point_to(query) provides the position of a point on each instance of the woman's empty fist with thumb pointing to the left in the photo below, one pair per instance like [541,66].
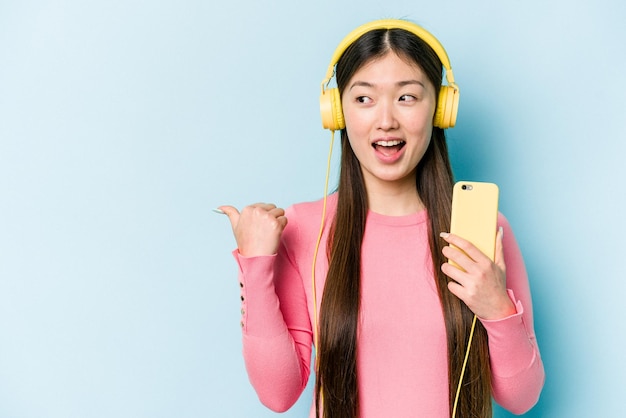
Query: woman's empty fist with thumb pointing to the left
[257,228]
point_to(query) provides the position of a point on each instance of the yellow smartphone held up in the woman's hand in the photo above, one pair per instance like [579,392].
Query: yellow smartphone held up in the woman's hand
[475,214]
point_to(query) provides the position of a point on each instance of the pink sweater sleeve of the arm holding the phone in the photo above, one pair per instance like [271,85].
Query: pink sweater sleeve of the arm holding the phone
[517,370]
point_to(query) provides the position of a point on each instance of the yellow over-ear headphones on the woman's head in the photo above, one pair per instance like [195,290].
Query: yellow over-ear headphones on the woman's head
[448,101]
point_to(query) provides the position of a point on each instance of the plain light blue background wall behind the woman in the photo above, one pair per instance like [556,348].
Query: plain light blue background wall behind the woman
[122,123]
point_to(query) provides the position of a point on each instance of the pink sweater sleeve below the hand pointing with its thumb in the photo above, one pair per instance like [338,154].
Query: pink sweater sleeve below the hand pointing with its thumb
[276,328]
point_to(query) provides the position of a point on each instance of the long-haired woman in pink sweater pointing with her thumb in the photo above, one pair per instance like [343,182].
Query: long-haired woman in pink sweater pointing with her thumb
[394,315]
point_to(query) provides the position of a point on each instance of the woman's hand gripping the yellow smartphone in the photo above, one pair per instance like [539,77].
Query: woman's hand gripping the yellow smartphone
[480,282]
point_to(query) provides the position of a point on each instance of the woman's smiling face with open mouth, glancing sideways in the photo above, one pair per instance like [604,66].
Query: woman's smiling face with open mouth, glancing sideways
[388,107]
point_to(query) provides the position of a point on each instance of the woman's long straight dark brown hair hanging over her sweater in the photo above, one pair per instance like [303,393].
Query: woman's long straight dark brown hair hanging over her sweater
[337,374]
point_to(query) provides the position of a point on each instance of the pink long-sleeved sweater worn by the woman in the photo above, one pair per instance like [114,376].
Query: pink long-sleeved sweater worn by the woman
[402,360]
